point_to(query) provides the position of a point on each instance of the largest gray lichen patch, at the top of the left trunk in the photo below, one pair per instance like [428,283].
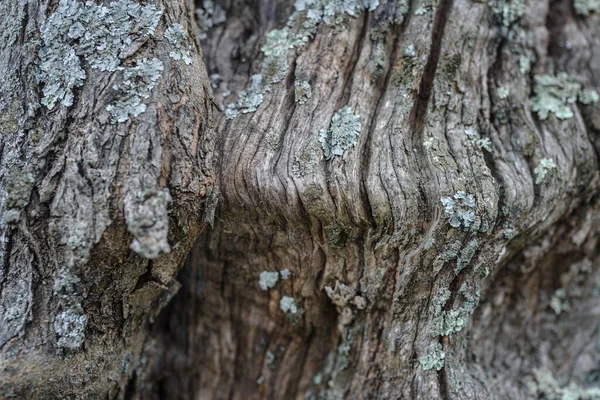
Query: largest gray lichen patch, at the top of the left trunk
[97,33]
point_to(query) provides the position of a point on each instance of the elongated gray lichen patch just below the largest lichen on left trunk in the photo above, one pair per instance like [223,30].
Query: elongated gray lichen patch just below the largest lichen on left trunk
[138,83]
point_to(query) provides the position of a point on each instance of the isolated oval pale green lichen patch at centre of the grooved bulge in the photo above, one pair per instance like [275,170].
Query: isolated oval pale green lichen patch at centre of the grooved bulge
[342,133]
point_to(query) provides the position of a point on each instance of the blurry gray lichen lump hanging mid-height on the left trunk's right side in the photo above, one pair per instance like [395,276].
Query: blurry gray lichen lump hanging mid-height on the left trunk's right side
[148,221]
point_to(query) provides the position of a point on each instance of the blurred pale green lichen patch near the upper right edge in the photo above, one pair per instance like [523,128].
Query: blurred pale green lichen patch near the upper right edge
[556,94]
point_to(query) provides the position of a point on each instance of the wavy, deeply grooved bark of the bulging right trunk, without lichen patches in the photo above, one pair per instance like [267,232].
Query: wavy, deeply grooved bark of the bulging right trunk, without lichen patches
[423,84]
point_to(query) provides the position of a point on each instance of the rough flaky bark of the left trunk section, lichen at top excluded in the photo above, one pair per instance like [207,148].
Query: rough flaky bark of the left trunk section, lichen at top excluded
[79,192]
